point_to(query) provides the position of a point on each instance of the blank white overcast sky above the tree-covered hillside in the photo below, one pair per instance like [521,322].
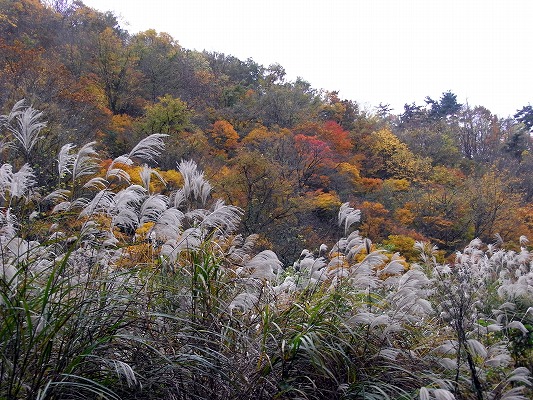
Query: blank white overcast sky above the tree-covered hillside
[371,51]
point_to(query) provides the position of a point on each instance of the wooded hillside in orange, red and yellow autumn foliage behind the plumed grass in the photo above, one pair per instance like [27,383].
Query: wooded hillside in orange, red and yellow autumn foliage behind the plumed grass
[287,153]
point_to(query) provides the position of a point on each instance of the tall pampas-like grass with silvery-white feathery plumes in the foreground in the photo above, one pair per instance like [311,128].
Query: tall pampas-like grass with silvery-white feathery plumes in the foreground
[113,286]
